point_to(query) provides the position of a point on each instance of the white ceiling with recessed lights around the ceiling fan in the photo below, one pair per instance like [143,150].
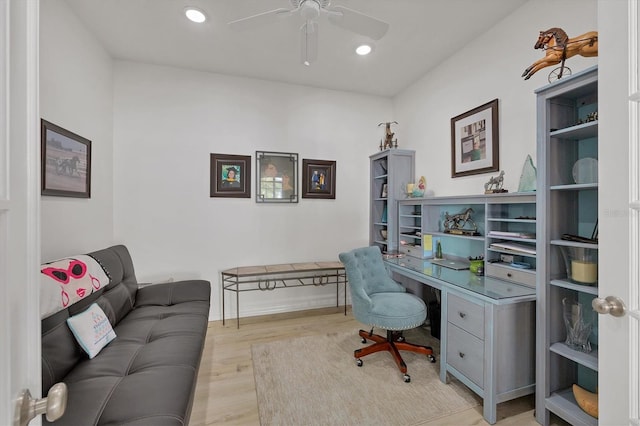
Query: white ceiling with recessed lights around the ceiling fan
[422,33]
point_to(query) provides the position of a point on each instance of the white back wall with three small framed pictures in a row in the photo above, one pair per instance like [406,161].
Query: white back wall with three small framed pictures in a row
[167,122]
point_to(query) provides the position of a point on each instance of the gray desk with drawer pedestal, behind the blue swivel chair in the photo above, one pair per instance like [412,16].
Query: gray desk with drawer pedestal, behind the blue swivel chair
[487,330]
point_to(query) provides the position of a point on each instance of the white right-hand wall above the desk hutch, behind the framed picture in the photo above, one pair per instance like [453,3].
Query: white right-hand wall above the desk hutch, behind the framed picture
[484,70]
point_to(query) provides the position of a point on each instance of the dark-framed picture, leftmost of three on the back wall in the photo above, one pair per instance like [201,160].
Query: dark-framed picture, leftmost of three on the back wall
[230,176]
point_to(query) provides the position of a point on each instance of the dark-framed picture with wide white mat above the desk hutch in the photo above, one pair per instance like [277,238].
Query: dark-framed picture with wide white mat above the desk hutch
[474,141]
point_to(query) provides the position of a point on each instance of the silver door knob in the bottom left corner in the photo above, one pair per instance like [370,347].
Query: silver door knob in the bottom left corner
[53,406]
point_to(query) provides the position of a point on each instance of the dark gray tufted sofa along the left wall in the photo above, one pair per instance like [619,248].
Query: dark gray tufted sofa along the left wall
[147,375]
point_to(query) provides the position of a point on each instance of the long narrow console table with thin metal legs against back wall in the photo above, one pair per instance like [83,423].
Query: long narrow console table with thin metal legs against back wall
[288,275]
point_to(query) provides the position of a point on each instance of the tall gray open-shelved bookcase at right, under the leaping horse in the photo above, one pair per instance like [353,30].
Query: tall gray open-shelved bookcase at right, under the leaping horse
[567,207]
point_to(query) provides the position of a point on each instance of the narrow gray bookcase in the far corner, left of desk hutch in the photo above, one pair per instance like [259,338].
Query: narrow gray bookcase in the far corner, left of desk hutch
[390,172]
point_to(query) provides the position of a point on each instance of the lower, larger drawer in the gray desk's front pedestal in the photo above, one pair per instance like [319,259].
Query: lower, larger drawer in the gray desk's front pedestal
[465,353]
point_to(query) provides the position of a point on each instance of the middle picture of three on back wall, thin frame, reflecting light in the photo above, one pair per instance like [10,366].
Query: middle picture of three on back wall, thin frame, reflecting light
[276,177]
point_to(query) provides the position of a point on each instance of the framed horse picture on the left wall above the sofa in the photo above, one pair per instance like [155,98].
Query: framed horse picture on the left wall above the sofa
[66,162]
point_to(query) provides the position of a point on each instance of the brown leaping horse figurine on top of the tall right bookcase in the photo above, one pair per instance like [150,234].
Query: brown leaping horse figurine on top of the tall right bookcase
[559,47]
